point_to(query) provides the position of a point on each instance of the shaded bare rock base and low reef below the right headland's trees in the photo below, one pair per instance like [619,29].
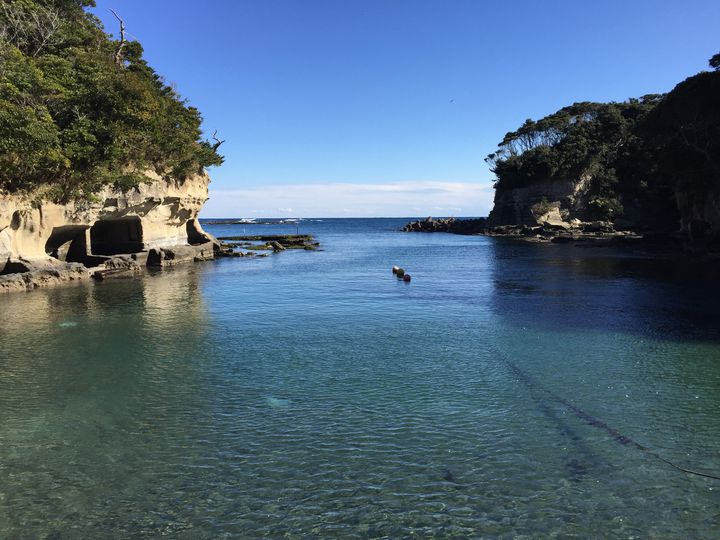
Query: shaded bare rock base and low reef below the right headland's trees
[557,211]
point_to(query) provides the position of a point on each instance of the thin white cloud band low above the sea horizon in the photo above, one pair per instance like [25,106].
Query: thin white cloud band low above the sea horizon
[411,198]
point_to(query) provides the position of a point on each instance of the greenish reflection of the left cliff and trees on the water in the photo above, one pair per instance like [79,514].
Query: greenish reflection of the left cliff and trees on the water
[97,384]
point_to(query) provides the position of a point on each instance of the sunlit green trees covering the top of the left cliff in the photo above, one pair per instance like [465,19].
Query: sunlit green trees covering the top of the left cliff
[79,110]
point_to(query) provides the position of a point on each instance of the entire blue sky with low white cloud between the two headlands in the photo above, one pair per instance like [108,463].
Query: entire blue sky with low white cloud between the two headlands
[388,107]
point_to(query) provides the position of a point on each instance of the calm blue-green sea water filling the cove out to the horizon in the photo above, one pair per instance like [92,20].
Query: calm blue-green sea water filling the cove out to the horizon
[313,395]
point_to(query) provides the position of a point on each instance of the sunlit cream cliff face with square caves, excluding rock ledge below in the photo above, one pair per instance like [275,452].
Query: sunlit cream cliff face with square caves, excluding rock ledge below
[156,215]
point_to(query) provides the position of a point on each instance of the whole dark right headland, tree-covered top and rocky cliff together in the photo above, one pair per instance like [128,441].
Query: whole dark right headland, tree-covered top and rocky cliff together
[650,164]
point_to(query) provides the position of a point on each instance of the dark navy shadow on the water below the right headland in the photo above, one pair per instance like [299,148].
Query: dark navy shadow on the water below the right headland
[549,287]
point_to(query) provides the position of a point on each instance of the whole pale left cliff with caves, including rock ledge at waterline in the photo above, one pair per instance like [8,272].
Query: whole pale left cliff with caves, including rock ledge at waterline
[155,223]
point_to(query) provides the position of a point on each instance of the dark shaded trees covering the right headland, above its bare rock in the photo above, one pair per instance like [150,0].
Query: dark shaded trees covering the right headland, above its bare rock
[636,153]
